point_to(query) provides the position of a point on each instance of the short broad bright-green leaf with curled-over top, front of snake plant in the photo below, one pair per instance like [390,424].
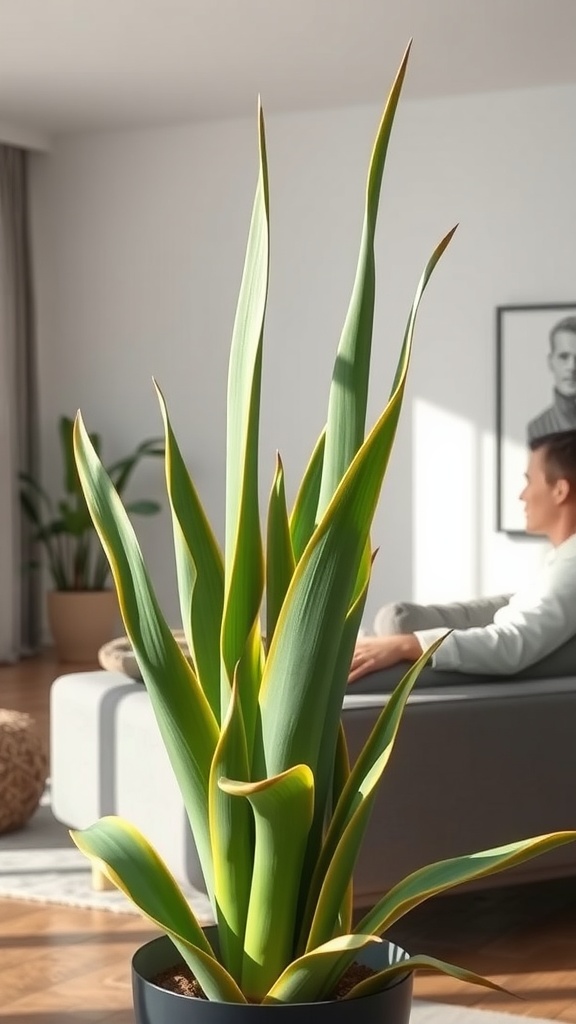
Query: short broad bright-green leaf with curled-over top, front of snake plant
[283,810]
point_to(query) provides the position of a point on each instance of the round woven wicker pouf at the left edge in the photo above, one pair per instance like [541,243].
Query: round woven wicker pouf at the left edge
[24,766]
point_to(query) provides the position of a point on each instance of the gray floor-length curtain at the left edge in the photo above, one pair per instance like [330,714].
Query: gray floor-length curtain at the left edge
[20,608]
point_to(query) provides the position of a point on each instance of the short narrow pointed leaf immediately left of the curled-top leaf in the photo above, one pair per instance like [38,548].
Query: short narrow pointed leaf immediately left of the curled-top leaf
[232,837]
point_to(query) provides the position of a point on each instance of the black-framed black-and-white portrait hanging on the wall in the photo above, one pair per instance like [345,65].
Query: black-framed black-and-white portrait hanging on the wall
[536,393]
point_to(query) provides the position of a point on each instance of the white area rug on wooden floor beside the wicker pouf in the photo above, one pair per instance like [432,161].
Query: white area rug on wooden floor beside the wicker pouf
[42,863]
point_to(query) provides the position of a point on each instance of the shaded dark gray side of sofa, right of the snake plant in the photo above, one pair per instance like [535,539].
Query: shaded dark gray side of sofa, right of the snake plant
[475,765]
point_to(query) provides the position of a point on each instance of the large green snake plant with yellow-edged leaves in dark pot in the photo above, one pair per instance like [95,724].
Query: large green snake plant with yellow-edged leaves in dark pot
[253,723]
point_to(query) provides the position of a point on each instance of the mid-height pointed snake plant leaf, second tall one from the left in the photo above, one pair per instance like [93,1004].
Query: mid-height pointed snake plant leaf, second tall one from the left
[199,569]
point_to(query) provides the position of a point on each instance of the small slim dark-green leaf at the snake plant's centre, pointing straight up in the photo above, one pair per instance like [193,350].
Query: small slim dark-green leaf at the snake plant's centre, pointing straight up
[280,558]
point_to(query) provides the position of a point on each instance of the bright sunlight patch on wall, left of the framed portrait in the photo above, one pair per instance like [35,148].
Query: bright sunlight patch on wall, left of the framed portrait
[445,513]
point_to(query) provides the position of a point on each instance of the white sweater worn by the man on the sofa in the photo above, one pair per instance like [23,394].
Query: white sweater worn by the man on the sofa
[536,622]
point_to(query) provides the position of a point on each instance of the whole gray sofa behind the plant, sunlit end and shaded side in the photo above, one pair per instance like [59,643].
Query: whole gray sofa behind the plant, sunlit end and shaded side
[475,765]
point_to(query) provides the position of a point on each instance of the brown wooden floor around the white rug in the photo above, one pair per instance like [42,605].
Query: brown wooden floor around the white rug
[67,966]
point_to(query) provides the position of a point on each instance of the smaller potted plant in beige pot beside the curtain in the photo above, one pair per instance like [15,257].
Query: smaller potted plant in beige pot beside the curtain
[83,607]
